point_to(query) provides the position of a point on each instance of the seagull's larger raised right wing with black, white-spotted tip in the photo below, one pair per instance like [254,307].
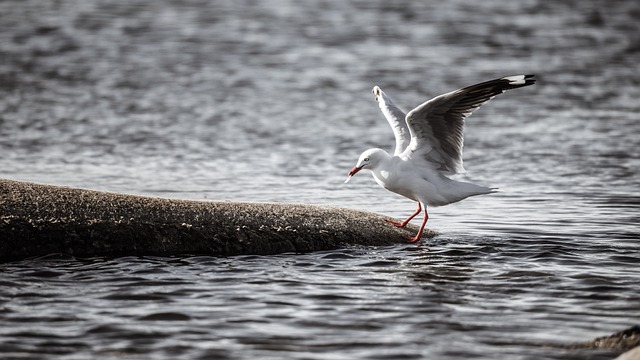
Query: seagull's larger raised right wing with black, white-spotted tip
[436,126]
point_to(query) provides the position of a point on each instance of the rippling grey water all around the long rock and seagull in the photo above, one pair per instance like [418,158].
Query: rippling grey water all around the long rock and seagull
[231,100]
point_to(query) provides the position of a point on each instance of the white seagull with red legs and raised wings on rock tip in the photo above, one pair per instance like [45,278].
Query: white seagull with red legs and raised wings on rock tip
[429,147]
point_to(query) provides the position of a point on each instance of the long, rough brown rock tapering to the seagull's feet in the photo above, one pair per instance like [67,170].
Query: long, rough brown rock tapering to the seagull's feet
[36,220]
